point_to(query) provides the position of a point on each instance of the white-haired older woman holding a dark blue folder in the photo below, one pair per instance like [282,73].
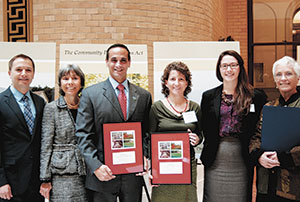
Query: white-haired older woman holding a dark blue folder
[278,174]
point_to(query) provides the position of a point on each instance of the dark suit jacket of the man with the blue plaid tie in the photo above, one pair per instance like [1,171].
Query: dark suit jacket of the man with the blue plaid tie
[19,150]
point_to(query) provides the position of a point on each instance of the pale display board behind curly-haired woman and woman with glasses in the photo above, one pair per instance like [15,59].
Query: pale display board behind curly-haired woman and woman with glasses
[200,57]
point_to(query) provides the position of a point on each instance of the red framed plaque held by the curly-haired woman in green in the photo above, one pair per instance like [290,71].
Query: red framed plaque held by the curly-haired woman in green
[170,159]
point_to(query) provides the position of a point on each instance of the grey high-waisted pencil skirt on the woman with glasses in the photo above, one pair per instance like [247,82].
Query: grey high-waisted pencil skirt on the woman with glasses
[226,180]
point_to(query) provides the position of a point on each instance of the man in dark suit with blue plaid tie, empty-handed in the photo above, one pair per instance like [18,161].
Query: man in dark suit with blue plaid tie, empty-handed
[20,121]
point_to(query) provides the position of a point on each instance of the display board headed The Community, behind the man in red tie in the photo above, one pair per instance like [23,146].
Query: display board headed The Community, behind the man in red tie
[91,59]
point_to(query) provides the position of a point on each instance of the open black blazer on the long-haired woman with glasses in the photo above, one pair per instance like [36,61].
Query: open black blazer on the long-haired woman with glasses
[210,106]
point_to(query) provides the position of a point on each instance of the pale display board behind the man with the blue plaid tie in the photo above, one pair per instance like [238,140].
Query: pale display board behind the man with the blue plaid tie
[43,55]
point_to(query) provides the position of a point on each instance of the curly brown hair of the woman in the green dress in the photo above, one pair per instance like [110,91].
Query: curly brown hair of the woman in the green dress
[183,69]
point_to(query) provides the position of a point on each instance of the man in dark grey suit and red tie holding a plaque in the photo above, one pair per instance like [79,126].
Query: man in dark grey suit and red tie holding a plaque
[98,105]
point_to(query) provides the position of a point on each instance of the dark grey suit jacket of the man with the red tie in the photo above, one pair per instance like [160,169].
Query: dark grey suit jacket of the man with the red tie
[99,104]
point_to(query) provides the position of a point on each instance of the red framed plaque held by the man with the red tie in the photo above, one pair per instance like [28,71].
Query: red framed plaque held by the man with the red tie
[123,150]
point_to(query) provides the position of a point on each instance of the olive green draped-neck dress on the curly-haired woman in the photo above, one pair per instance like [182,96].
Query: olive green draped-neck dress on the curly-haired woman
[163,120]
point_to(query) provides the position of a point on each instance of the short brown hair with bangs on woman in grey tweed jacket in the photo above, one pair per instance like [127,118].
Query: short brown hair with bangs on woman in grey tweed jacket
[66,70]
